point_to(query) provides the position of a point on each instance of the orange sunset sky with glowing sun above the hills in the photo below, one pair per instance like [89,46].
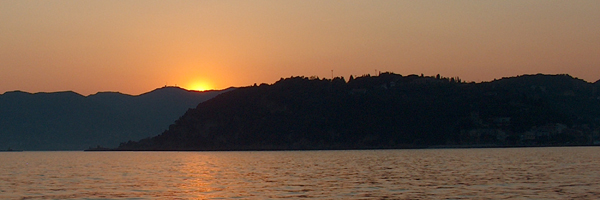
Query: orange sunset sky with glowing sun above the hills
[134,46]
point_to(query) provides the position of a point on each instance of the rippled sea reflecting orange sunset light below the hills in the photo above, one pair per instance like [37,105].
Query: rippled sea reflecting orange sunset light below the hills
[516,173]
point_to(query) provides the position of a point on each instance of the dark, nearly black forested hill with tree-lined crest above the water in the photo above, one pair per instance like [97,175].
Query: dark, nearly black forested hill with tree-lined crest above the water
[389,111]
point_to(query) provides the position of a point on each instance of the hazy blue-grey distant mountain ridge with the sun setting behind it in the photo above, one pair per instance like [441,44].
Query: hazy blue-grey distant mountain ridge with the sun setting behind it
[70,121]
